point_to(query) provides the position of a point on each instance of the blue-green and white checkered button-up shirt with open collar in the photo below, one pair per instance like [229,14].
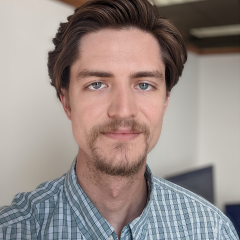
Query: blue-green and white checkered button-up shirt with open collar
[59,209]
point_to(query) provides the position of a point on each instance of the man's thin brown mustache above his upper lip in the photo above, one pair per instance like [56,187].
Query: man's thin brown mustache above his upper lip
[115,124]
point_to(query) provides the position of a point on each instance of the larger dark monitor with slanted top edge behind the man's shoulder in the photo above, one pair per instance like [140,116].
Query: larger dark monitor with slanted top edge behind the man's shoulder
[199,181]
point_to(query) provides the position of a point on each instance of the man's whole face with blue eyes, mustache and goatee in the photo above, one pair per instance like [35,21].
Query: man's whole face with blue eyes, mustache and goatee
[117,98]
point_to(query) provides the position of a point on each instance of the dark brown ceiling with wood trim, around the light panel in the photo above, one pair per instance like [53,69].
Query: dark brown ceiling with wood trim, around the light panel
[201,14]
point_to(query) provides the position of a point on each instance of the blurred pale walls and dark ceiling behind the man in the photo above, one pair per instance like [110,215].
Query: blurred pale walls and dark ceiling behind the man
[201,127]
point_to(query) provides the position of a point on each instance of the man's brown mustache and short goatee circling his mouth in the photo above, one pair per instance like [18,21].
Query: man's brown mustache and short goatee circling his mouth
[124,167]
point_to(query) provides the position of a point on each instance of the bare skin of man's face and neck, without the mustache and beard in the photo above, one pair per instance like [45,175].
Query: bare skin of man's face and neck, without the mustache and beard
[128,58]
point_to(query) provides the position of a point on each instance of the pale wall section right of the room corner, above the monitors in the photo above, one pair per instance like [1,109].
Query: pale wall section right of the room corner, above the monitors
[219,118]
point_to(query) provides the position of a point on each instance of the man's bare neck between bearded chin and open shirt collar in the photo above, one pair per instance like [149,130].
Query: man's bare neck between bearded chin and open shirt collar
[119,199]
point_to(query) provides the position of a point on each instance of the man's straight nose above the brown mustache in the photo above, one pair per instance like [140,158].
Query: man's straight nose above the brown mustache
[123,103]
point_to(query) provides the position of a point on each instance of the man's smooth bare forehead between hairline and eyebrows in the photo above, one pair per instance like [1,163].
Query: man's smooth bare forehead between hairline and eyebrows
[126,49]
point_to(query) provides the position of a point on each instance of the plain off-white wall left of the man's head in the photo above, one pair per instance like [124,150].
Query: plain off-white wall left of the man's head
[36,142]
